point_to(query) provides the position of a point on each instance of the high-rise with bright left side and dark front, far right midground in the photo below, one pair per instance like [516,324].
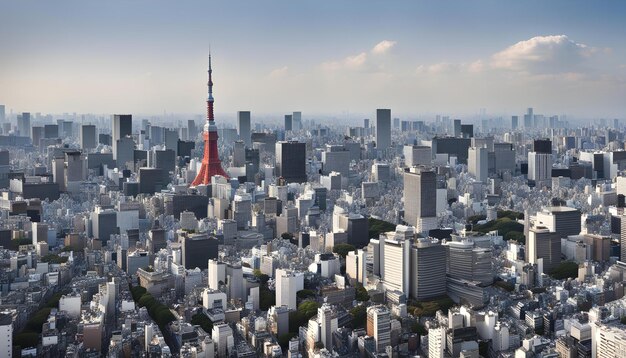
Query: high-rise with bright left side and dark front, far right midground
[546,245]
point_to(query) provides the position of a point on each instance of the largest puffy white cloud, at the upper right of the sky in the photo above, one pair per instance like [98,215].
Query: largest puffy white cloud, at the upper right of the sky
[543,54]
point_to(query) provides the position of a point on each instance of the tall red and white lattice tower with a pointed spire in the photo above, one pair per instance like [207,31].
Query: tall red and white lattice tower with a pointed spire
[211,164]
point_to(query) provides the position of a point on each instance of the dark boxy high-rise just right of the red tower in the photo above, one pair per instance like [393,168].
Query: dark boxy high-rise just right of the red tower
[291,161]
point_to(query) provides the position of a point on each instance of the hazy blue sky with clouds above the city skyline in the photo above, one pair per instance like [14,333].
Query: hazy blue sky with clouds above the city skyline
[418,58]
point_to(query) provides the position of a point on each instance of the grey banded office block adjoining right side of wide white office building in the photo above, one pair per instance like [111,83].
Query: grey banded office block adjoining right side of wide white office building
[428,269]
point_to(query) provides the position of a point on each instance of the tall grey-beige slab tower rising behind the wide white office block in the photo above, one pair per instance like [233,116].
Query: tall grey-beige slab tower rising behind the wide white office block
[420,201]
